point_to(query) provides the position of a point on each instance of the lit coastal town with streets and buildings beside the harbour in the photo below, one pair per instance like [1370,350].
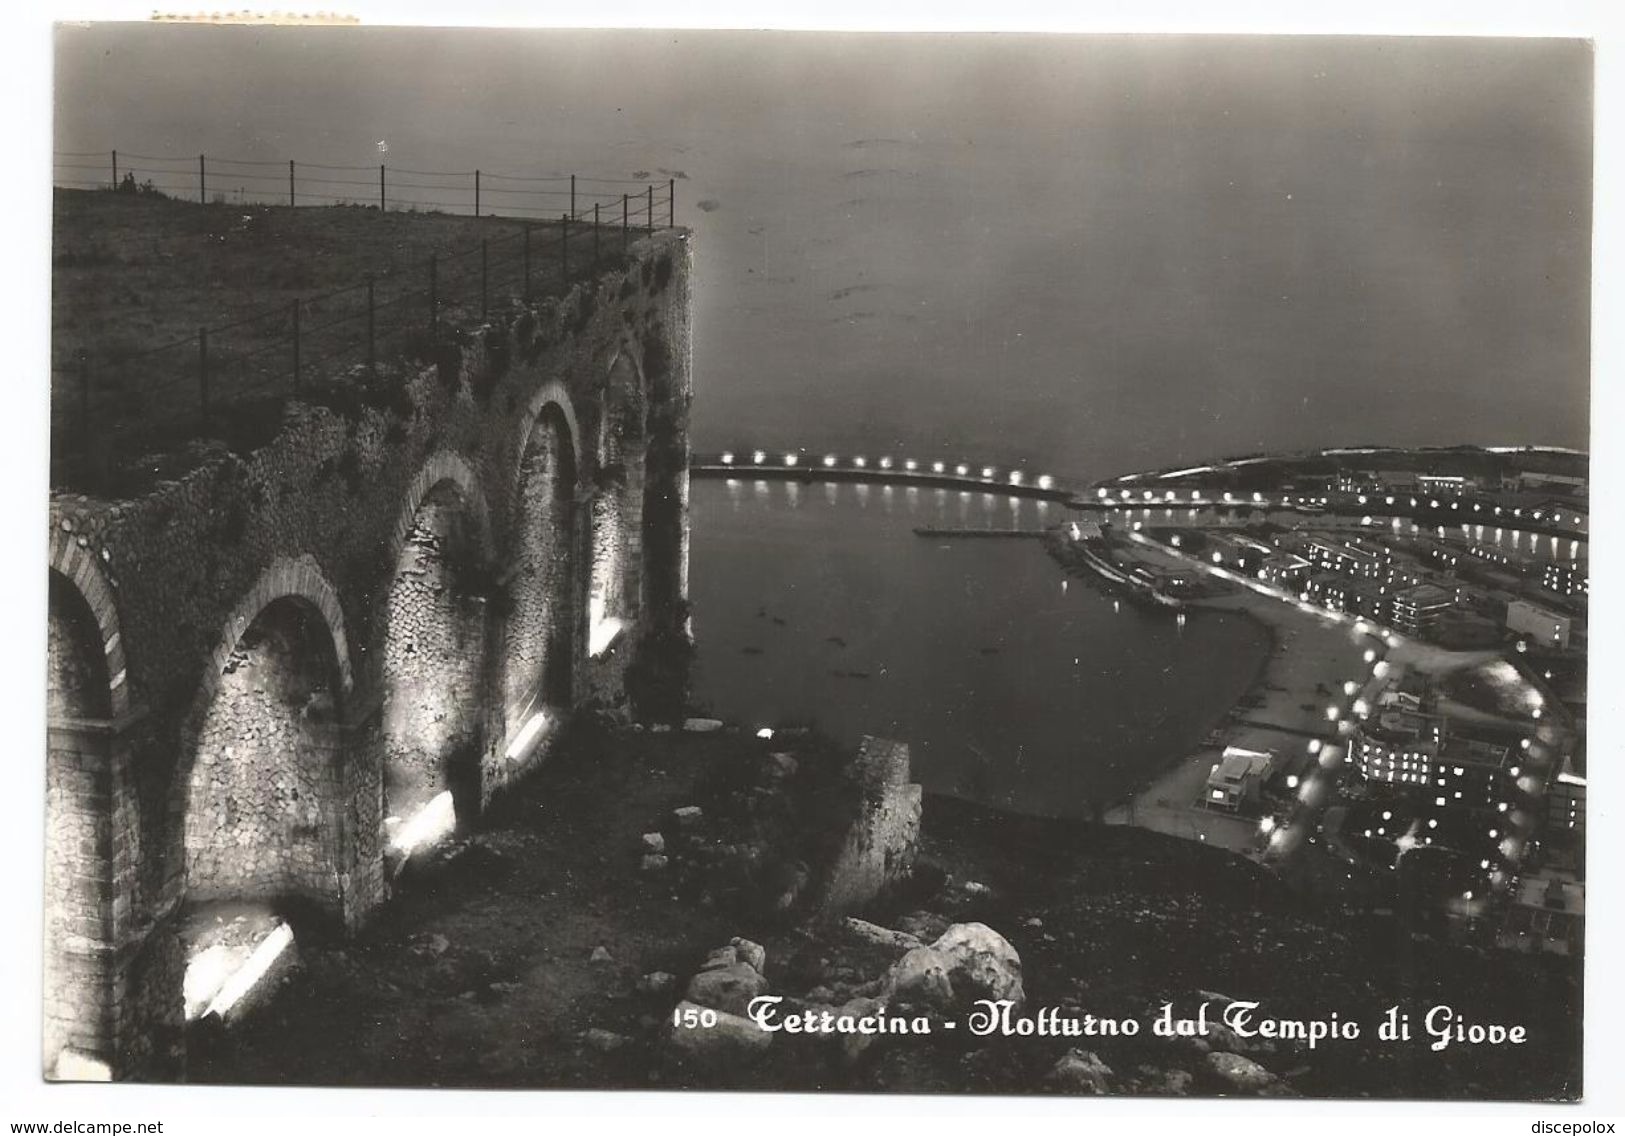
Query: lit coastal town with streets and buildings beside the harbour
[1418,735]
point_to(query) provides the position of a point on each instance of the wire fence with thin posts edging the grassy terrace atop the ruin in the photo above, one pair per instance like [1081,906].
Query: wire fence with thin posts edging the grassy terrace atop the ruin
[121,404]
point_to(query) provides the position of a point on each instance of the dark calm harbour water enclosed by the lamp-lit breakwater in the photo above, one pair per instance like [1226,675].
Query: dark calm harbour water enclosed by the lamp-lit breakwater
[1015,685]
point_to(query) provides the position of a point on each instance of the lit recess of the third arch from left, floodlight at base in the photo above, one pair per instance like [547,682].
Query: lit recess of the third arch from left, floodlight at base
[435,654]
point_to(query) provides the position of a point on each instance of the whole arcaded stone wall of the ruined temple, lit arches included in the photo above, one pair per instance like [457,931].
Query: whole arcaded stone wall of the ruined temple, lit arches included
[259,661]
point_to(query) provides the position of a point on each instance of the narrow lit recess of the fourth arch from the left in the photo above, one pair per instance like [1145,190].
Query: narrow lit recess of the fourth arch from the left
[542,615]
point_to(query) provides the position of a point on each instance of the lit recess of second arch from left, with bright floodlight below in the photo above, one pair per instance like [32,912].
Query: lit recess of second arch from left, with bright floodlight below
[264,835]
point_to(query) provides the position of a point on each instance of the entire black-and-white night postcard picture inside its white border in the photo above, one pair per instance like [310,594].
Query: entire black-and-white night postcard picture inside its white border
[1008,565]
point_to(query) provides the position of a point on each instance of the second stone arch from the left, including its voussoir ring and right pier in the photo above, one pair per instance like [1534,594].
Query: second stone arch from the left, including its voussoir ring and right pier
[267,813]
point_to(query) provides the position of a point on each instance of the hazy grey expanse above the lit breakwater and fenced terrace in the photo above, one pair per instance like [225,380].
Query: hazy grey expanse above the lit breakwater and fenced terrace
[1083,253]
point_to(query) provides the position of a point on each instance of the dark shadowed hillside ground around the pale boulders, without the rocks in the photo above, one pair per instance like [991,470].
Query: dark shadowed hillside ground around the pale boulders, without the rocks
[482,974]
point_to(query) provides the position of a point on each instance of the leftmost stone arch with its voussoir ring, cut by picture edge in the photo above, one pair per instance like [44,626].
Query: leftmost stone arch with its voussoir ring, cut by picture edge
[89,818]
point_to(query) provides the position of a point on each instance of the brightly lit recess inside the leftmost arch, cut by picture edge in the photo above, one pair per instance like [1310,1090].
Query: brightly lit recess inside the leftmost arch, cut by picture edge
[79,836]
